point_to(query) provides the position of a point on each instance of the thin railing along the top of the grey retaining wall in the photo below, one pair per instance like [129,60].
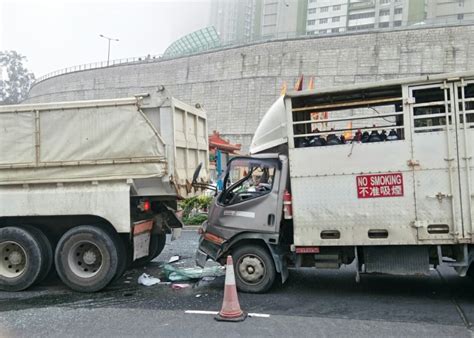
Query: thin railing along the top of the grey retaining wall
[241,43]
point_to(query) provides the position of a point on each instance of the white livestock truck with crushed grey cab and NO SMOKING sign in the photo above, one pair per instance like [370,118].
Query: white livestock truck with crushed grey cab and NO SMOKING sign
[379,175]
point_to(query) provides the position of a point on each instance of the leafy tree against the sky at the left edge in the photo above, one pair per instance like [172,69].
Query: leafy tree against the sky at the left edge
[15,80]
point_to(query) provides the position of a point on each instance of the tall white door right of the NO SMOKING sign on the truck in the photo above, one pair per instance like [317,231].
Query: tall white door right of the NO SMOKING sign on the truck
[436,163]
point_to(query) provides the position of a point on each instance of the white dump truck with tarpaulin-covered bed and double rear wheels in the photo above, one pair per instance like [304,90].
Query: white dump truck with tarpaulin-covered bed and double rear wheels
[92,186]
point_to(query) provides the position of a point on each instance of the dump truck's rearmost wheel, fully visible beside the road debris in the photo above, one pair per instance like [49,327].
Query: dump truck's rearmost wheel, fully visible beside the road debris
[86,258]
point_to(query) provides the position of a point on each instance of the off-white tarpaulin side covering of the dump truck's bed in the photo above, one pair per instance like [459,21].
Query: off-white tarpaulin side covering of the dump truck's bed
[78,142]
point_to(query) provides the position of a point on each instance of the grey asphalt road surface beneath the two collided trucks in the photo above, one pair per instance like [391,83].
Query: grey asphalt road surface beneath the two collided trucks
[311,303]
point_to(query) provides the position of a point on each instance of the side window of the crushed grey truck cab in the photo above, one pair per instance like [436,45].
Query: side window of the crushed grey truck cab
[247,179]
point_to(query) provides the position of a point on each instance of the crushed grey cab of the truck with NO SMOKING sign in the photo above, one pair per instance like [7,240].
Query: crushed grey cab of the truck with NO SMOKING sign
[248,213]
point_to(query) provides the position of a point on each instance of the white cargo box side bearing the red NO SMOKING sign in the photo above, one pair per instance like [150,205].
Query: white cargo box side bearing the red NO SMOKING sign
[349,175]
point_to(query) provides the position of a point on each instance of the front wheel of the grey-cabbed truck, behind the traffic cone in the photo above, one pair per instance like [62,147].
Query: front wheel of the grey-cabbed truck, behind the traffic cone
[254,268]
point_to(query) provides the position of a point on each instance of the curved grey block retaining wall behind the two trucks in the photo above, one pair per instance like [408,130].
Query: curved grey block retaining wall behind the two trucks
[236,86]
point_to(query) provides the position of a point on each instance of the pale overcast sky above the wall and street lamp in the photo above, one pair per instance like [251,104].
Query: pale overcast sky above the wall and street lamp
[55,34]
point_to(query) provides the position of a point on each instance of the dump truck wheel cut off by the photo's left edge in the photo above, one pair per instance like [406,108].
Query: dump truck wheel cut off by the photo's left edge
[21,259]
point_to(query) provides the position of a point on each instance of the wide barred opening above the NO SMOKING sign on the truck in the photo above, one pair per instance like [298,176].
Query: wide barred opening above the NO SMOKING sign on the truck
[345,118]
